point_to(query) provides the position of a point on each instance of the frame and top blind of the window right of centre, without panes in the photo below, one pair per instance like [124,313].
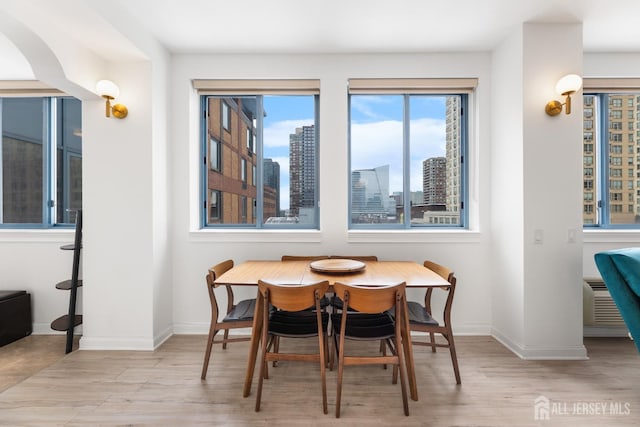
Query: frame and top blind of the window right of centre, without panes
[462,87]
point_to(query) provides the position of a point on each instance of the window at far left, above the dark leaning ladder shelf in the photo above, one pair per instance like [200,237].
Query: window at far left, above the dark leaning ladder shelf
[41,161]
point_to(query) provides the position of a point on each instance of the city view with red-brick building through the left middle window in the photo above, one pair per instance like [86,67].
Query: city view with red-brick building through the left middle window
[286,126]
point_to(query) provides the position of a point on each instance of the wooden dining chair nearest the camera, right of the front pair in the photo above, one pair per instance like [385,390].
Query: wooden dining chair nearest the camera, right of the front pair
[371,322]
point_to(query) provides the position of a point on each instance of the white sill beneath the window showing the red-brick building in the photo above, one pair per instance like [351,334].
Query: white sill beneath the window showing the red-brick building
[256,236]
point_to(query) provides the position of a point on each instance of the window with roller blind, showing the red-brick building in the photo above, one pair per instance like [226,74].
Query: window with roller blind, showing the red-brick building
[269,174]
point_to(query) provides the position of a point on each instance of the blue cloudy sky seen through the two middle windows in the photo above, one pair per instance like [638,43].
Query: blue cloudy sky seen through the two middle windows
[376,129]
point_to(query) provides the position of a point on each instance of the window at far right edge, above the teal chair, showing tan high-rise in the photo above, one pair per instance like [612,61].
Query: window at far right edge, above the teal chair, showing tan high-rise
[612,202]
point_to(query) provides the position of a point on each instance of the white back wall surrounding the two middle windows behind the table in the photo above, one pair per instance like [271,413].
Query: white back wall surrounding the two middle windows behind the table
[465,251]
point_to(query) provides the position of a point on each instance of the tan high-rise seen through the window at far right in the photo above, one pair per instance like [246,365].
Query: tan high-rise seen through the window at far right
[624,202]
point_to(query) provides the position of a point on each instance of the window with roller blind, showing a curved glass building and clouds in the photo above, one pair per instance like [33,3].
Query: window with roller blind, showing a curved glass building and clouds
[407,153]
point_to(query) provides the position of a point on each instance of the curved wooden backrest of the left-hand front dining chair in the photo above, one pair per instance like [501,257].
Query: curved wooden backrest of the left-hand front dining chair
[293,297]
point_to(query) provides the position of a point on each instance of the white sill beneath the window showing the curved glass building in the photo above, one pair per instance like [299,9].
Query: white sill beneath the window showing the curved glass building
[413,236]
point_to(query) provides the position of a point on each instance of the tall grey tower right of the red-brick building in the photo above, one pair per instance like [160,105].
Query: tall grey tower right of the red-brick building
[302,169]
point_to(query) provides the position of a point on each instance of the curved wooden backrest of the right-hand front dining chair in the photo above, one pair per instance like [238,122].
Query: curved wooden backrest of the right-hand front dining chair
[370,299]
